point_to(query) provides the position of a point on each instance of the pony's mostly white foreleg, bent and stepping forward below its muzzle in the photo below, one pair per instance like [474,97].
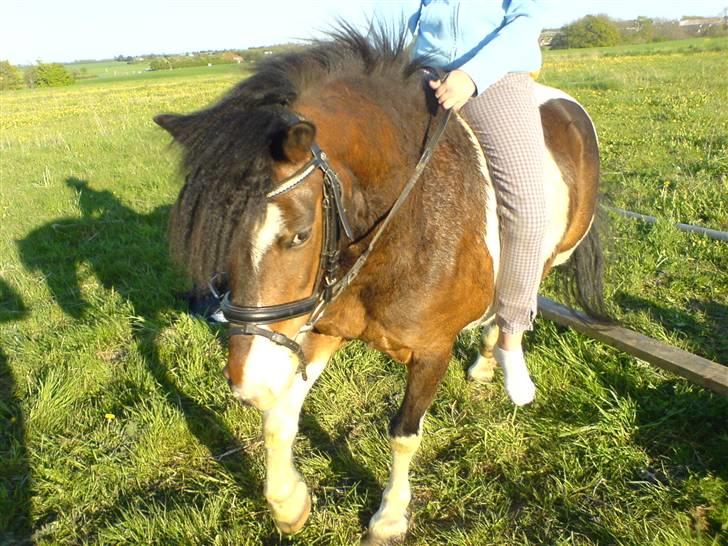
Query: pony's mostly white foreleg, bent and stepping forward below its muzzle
[285,490]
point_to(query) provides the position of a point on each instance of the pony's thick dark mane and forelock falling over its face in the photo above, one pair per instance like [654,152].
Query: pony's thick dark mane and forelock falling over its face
[226,147]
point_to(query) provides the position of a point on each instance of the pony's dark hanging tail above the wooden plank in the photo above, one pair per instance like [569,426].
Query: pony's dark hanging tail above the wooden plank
[582,275]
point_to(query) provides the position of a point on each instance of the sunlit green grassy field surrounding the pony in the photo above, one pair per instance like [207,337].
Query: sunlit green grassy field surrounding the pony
[116,425]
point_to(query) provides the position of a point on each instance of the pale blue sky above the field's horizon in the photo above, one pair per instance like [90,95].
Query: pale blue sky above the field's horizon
[65,30]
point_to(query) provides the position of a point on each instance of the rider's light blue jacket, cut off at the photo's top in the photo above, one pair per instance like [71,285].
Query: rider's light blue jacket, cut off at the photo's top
[485,38]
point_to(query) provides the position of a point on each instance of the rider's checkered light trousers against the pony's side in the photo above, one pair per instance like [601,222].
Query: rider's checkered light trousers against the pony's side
[506,121]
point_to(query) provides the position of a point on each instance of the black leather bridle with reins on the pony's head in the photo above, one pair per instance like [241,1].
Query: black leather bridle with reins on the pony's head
[247,320]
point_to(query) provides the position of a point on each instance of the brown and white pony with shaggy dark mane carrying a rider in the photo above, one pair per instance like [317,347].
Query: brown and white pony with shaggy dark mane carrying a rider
[433,271]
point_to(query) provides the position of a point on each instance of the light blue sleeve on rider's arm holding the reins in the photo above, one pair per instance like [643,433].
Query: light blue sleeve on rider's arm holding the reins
[516,37]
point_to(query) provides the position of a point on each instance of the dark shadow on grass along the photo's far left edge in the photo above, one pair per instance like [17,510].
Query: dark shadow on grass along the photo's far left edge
[15,490]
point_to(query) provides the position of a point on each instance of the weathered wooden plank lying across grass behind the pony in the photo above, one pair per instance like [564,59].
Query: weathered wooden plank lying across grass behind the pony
[697,369]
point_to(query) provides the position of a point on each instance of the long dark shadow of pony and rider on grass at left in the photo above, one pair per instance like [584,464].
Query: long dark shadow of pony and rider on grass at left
[127,252]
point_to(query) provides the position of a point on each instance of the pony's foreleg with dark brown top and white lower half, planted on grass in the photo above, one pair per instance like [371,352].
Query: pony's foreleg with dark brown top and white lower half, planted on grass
[405,435]
